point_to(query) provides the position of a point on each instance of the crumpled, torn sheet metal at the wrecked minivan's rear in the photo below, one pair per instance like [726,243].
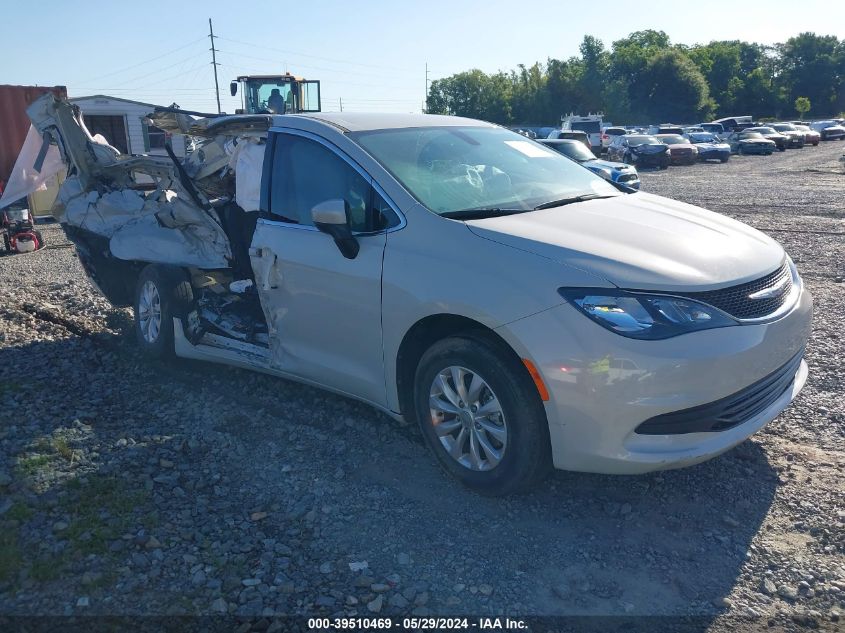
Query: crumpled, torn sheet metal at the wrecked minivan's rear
[174,224]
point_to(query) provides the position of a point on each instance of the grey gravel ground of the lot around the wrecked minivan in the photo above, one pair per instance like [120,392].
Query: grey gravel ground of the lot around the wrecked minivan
[137,488]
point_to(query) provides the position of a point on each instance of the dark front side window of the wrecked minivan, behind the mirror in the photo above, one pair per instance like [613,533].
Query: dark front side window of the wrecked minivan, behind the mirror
[306,173]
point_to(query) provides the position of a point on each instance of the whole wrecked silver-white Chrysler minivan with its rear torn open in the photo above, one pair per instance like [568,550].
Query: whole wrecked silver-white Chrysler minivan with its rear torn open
[523,310]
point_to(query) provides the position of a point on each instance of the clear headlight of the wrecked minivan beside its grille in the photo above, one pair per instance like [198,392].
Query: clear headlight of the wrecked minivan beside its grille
[644,316]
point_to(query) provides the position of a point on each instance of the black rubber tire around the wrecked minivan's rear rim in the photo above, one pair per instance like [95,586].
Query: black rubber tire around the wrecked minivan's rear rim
[173,288]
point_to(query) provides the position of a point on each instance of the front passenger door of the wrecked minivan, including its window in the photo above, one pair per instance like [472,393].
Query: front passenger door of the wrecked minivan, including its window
[323,311]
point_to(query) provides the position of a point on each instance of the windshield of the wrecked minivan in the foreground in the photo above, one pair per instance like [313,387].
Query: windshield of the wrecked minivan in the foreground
[451,169]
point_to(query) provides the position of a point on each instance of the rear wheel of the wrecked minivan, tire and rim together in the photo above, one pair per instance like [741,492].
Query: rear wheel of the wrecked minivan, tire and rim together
[161,294]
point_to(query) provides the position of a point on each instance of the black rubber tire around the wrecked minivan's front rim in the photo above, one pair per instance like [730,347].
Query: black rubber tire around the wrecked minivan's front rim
[527,457]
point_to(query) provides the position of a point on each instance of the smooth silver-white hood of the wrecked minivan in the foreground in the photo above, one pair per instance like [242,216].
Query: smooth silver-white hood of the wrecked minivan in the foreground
[641,241]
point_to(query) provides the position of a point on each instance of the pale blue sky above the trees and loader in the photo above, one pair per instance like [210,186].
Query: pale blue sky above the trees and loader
[372,55]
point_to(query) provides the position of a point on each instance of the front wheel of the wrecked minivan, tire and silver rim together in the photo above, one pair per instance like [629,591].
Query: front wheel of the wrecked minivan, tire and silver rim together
[482,416]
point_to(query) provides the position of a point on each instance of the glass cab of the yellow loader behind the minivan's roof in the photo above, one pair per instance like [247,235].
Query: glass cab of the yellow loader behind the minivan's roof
[276,94]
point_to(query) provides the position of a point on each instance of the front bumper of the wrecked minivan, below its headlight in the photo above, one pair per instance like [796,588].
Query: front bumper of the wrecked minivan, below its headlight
[603,386]
